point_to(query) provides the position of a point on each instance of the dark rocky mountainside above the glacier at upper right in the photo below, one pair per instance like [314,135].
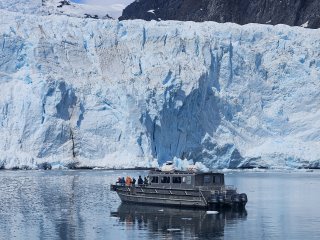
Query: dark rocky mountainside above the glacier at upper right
[290,12]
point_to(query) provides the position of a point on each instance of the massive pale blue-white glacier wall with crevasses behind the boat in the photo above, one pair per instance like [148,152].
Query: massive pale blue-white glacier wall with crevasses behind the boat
[113,94]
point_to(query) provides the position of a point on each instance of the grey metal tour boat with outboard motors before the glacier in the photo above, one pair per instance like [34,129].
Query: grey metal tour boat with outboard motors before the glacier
[182,189]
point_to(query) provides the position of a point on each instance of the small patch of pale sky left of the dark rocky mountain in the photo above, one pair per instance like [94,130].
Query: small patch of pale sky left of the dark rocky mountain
[116,6]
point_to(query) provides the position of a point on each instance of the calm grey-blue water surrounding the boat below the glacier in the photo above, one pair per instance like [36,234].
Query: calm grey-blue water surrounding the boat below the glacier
[79,205]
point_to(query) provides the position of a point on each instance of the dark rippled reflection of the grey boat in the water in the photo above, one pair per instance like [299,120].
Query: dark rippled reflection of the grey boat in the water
[187,223]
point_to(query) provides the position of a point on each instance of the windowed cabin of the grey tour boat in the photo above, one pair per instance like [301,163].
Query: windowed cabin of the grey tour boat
[181,179]
